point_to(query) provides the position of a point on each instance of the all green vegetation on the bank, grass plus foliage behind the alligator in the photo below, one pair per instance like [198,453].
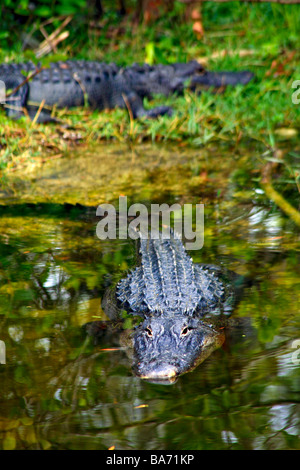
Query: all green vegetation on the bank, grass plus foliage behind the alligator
[262,38]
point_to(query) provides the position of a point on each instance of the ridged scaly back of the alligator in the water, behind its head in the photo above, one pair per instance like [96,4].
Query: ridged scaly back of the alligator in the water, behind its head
[168,282]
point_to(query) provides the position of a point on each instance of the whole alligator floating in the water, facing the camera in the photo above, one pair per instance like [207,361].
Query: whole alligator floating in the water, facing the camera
[183,305]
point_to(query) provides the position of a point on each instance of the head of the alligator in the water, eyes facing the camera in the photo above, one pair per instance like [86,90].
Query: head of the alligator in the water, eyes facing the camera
[168,346]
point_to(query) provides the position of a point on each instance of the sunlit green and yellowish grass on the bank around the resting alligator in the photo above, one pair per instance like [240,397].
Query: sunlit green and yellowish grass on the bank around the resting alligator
[262,110]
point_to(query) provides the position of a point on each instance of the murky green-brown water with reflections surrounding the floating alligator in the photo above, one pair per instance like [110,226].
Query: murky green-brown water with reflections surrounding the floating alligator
[59,391]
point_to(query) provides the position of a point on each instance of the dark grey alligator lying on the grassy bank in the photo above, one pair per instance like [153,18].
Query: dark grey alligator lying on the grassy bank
[37,90]
